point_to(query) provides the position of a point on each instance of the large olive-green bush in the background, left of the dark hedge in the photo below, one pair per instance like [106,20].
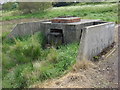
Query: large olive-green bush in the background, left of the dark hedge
[30,7]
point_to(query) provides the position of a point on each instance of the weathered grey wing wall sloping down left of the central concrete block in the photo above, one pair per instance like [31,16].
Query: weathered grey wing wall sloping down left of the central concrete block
[25,29]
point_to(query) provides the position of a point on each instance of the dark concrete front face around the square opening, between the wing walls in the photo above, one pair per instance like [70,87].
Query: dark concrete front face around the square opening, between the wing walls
[69,31]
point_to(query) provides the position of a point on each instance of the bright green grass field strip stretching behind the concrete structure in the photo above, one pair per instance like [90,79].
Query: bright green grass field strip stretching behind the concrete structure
[107,12]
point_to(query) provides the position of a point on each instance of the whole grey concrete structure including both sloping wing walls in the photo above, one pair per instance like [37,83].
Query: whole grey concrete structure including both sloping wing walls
[93,39]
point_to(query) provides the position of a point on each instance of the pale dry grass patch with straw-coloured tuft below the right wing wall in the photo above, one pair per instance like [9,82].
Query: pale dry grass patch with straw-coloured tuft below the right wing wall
[86,75]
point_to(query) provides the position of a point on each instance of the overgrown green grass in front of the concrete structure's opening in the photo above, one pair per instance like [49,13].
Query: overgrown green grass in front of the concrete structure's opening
[26,62]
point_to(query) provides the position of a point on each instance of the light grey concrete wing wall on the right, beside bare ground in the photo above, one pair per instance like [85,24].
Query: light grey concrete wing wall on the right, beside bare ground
[94,39]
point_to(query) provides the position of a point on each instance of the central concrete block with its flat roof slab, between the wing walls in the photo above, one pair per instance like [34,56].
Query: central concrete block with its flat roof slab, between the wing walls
[71,31]
